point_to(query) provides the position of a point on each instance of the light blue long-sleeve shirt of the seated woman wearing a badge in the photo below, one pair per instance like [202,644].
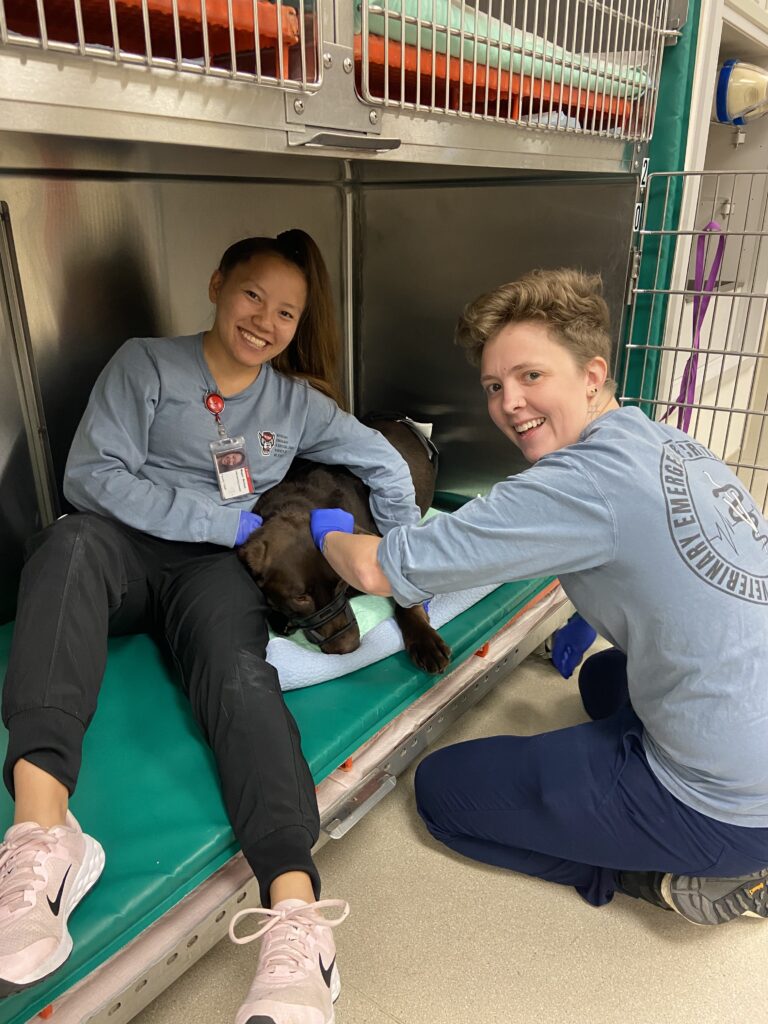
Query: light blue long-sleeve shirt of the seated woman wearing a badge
[142,453]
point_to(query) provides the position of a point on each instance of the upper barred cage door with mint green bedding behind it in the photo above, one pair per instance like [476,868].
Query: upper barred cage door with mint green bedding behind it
[588,67]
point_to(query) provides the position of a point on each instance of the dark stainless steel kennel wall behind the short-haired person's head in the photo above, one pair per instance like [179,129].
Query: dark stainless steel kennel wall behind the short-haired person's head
[429,251]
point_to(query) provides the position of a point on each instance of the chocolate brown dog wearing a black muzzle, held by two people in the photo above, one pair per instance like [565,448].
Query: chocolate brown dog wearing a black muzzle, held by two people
[302,589]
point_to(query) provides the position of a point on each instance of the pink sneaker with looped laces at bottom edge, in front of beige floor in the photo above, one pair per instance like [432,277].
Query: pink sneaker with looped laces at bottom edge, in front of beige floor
[297,980]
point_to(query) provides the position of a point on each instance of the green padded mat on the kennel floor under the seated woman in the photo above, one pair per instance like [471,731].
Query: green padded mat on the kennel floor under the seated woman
[149,789]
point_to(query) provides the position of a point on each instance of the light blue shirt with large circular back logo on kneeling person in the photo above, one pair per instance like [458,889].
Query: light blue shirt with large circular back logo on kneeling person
[661,547]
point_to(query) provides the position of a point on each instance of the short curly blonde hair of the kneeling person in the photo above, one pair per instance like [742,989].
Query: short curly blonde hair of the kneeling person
[569,303]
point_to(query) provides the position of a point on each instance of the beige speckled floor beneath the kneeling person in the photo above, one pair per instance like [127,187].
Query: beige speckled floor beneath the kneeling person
[436,940]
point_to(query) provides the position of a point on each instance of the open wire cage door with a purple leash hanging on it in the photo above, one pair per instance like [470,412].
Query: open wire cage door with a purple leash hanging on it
[719,373]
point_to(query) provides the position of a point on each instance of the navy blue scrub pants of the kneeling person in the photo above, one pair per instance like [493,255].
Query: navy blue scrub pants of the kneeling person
[578,805]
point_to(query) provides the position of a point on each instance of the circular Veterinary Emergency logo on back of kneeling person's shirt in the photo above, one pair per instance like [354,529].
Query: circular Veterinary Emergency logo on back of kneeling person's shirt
[715,525]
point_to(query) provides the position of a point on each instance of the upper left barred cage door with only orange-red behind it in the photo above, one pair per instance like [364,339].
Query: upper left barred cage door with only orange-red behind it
[268,42]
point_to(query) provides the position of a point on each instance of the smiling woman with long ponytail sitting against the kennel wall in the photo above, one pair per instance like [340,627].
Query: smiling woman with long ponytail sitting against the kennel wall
[181,439]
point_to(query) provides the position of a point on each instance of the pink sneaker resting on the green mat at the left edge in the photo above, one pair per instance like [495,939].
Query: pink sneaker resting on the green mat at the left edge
[45,874]
